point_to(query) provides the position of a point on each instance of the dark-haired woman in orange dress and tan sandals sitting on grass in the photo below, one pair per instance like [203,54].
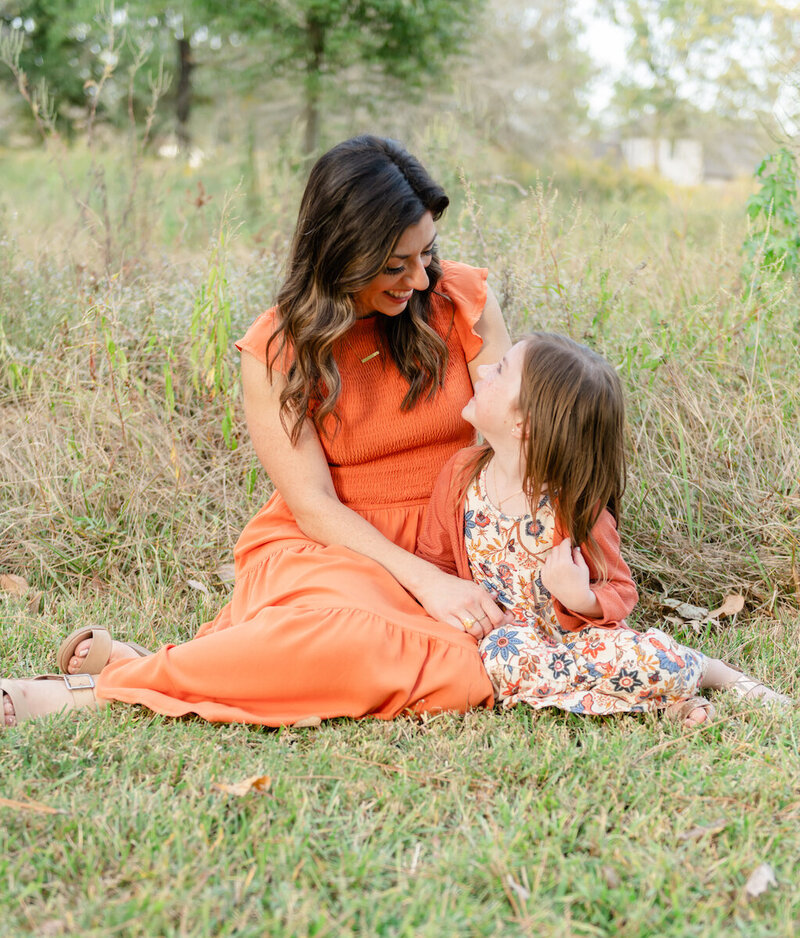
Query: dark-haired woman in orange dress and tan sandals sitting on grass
[353,388]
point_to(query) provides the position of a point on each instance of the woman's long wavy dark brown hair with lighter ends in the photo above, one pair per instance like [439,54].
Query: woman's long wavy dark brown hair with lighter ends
[360,198]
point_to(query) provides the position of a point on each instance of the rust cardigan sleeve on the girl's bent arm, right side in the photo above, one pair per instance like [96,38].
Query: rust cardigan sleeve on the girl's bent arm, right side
[616,593]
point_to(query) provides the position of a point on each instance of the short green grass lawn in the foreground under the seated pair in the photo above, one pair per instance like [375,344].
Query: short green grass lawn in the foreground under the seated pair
[515,823]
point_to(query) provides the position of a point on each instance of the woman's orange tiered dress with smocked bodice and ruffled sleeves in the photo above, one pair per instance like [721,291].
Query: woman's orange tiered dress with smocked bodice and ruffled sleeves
[315,630]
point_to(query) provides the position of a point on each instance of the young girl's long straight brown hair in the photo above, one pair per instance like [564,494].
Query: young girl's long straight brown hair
[573,417]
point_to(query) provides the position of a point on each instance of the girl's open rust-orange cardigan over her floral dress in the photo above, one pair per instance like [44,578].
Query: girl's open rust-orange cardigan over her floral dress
[441,542]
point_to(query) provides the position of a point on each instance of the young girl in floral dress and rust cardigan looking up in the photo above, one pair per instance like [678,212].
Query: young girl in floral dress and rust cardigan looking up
[531,516]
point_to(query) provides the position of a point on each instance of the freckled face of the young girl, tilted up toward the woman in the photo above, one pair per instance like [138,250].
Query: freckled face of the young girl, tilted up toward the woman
[494,408]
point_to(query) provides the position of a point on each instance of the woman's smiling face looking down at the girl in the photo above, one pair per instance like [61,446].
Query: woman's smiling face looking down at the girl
[405,272]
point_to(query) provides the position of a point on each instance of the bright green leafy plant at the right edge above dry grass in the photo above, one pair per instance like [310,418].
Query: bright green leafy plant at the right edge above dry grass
[773,242]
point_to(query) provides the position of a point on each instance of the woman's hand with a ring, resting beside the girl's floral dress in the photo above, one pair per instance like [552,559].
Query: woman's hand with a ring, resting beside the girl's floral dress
[461,603]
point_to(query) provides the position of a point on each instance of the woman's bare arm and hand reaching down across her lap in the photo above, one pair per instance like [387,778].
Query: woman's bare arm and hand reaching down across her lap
[300,473]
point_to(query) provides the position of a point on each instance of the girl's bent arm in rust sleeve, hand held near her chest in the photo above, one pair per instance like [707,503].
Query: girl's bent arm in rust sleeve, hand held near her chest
[580,597]
